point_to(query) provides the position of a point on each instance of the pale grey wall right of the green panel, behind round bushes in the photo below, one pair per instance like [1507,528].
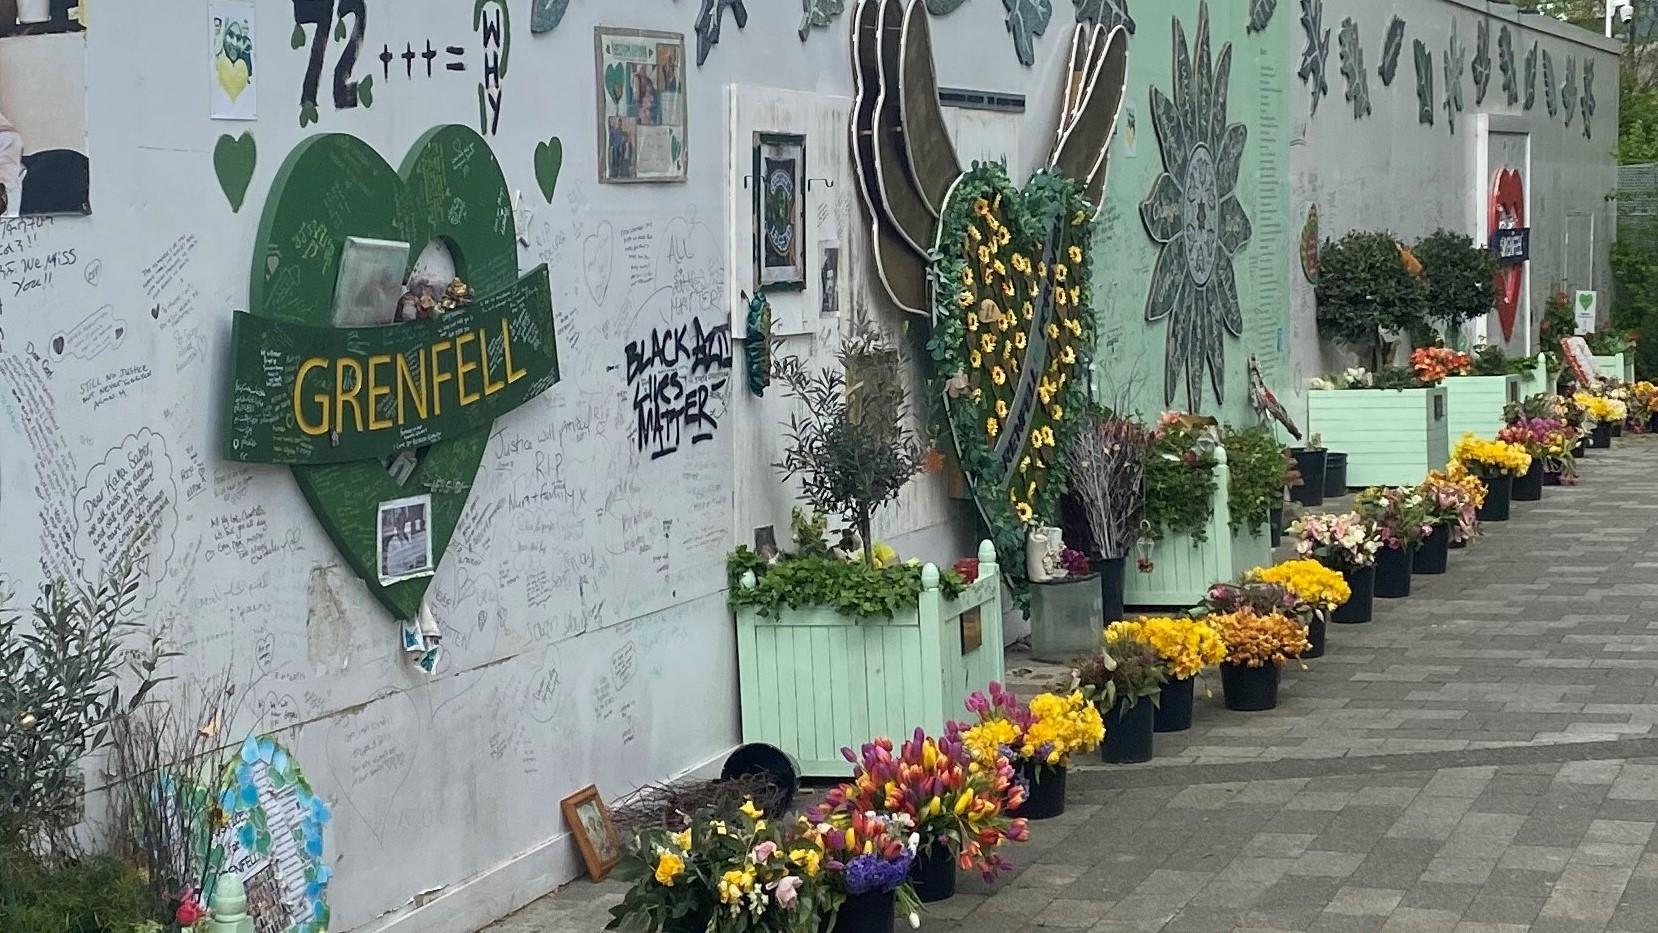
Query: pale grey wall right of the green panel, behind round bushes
[1389,172]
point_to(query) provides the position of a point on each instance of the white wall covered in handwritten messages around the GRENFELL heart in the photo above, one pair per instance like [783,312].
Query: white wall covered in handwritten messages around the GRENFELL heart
[583,602]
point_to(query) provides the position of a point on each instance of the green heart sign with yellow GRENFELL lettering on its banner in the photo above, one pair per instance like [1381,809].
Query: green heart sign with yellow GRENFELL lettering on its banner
[339,404]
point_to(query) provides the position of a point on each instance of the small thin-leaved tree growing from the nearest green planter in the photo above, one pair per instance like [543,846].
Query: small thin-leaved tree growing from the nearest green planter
[851,448]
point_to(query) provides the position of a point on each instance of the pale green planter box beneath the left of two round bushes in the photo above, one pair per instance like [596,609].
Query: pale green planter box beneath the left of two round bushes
[1392,437]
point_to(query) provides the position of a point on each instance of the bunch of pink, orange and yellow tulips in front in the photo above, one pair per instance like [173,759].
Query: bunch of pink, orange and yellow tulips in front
[949,798]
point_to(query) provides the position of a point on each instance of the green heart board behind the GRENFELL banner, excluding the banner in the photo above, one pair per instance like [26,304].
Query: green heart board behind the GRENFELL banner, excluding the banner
[448,190]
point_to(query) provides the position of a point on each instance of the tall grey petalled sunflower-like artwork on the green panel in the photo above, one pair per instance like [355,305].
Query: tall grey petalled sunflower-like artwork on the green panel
[1195,213]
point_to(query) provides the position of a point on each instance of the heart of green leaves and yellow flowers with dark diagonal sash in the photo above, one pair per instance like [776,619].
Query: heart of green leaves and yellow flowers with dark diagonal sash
[1012,336]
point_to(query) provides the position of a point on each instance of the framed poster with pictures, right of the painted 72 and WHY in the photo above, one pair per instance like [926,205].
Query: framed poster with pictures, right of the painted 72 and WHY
[642,133]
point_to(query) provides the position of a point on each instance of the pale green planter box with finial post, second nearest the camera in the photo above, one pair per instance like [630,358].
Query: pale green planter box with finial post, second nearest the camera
[1183,569]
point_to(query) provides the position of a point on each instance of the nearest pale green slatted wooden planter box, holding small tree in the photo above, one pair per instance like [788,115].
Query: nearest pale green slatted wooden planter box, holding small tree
[815,682]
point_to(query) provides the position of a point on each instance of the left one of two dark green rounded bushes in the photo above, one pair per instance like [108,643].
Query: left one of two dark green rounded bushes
[1364,291]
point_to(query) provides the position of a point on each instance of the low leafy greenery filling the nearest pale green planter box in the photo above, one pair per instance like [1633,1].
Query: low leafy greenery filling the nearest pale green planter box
[828,583]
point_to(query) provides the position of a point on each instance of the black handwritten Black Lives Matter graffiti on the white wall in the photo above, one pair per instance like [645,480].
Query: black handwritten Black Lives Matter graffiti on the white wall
[679,379]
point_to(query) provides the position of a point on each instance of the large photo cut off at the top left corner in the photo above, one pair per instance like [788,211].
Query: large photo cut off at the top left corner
[44,167]
